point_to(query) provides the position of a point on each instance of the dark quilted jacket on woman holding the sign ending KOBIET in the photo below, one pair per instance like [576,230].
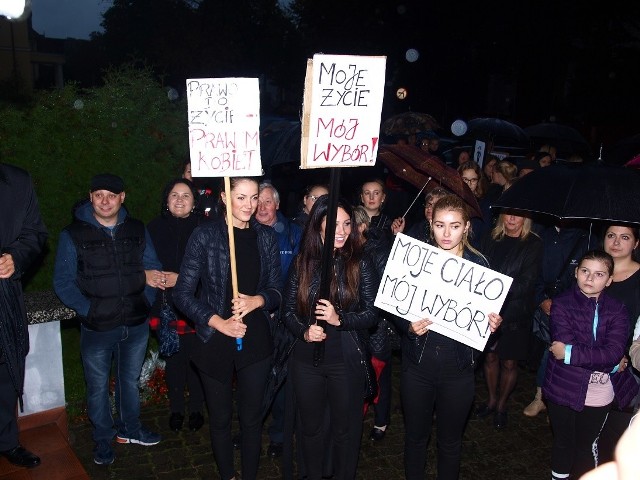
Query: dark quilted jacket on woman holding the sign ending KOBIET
[201,290]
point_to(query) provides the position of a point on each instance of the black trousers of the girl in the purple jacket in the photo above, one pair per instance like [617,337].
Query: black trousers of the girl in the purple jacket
[575,438]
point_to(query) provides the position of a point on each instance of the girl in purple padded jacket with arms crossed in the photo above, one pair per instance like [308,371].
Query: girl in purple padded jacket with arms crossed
[584,373]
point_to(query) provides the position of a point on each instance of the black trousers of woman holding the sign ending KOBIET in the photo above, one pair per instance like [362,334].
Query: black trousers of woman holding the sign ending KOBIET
[251,381]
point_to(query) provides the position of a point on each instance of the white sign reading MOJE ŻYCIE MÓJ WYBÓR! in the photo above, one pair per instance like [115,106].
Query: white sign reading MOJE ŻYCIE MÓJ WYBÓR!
[341,111]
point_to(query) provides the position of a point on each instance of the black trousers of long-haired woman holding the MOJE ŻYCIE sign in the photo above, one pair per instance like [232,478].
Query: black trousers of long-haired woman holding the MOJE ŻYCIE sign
[341,389]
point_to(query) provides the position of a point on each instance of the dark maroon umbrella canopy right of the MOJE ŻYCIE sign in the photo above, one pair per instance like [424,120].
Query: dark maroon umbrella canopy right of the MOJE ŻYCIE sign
[416,167]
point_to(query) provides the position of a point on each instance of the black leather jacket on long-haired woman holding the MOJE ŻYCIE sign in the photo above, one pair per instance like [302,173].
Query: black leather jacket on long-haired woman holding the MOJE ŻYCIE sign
[356,319]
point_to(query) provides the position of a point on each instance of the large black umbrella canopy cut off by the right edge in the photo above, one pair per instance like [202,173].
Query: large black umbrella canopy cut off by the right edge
[586,192]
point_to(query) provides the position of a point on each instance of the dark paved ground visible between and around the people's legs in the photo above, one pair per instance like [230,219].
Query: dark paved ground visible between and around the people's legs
[520,452]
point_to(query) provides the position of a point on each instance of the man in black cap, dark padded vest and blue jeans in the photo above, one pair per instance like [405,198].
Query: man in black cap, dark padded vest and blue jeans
[107,270]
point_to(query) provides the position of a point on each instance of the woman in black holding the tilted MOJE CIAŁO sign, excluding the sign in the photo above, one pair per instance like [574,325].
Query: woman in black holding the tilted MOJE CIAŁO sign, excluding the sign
[438,372]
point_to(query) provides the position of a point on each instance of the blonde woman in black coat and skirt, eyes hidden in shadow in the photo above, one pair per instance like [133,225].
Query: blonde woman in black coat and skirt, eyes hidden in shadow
[514,250]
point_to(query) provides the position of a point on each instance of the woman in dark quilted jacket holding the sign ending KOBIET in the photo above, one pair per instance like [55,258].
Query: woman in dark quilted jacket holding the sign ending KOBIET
[204,293]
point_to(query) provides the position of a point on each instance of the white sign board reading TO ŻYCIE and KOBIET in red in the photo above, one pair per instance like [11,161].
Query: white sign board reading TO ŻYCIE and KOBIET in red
[224,124]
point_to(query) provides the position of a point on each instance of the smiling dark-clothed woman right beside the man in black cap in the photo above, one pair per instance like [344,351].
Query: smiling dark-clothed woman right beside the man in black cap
[170,232]
